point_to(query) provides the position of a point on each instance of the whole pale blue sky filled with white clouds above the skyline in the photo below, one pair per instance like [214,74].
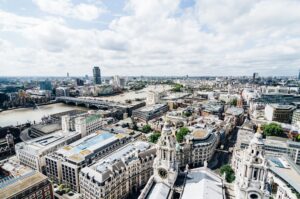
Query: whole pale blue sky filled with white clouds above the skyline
[149,37]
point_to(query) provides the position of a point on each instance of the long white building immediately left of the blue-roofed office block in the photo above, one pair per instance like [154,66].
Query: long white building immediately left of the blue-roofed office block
[32,153]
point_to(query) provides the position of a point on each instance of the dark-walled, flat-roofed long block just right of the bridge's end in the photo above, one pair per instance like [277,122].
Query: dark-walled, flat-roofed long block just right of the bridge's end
[150,112]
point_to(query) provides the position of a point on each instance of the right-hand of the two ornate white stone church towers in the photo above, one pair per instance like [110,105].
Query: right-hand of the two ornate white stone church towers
[250,166]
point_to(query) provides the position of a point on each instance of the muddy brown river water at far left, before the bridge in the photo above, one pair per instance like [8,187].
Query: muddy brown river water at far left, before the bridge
[23,115]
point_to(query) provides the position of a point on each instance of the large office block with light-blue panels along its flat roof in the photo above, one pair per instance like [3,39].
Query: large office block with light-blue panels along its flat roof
[64,165]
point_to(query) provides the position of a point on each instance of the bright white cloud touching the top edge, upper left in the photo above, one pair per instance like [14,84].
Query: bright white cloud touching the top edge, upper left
[66,8]
